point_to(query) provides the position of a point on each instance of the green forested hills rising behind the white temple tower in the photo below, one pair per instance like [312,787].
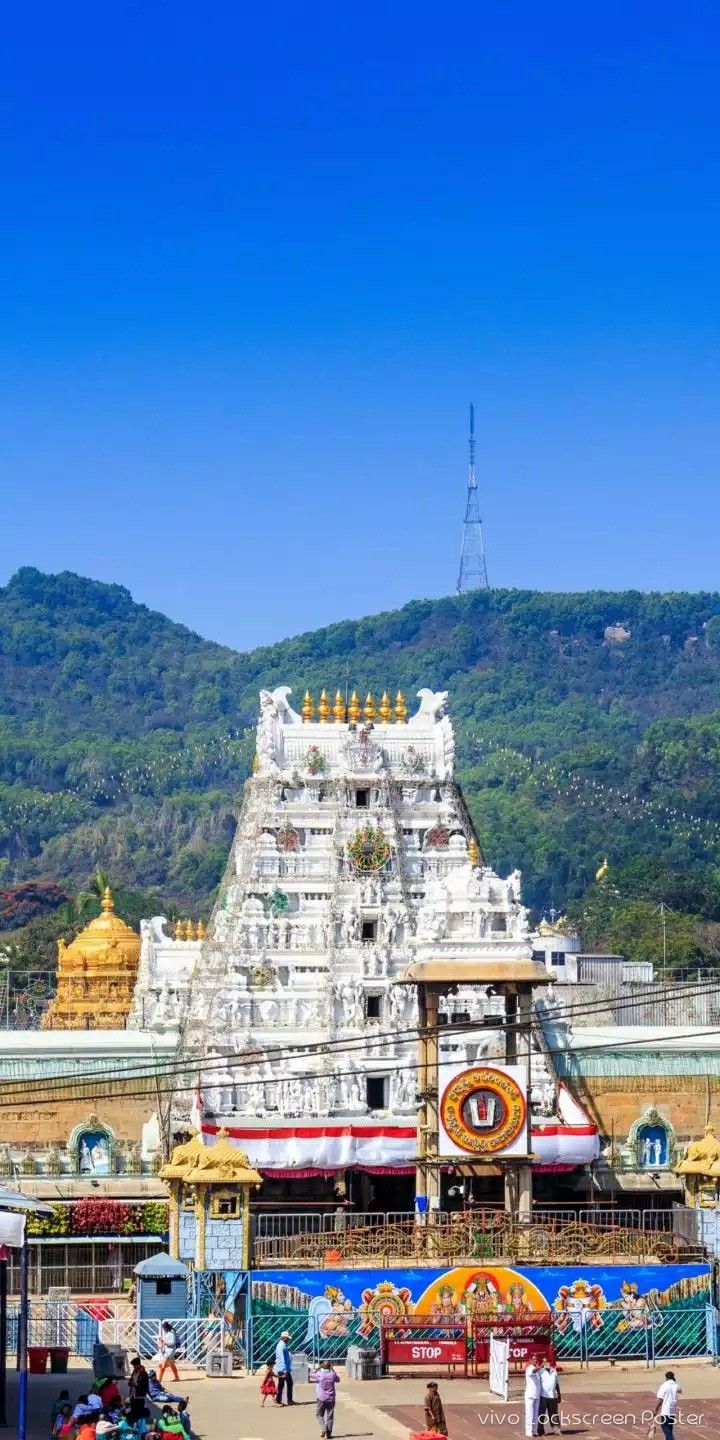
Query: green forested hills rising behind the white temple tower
[588,725]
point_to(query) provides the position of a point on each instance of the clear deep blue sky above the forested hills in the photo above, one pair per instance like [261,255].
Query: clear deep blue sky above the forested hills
[256,261]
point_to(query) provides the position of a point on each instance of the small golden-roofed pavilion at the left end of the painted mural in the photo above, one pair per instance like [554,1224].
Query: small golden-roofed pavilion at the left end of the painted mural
[211,1205]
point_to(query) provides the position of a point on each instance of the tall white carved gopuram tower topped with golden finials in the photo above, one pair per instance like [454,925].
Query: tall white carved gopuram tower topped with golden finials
[355,859]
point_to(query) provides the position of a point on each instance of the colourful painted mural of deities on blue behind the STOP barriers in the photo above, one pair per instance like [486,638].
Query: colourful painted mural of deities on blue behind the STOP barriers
[606,1307]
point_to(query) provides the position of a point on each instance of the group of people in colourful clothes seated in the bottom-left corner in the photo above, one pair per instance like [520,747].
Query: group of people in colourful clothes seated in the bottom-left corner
[103,1413]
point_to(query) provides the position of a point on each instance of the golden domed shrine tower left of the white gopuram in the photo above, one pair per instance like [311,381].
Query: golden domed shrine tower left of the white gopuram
[96,976]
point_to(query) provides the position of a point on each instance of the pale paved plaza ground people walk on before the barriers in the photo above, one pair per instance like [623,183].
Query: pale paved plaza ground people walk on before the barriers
[607,1402]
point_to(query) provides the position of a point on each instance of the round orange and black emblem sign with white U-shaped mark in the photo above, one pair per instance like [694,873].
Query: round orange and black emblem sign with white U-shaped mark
[483,1111]
